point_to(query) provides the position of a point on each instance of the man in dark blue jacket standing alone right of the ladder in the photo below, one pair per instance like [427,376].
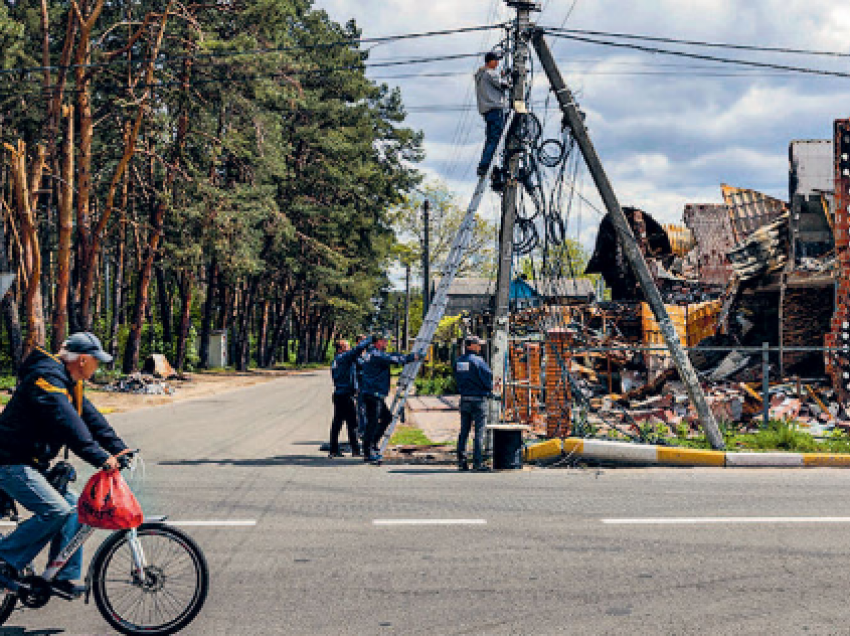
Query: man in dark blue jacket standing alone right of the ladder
[474,381]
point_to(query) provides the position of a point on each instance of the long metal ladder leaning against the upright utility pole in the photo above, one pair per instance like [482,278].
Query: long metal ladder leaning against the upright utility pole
[441,296]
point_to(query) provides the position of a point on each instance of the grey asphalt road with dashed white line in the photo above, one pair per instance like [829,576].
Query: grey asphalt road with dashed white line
[546,552]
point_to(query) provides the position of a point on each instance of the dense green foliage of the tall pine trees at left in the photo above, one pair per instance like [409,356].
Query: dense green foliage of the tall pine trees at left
[281,169]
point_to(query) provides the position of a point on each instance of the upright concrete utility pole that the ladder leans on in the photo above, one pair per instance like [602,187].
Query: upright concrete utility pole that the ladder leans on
[501,314]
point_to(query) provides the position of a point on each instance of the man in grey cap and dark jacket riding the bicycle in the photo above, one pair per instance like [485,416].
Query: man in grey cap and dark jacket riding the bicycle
[46,412]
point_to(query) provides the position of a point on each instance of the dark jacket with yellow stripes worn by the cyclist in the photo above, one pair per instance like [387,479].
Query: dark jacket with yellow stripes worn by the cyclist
[48,411]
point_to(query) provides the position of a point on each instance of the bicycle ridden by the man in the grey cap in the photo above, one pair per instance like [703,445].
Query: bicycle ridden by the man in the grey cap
[159,565]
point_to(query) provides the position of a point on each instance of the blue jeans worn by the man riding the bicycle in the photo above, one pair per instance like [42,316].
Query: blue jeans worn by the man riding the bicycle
[54,520]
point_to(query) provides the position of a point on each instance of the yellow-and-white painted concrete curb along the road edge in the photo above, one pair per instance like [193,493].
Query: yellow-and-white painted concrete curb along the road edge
[646,454]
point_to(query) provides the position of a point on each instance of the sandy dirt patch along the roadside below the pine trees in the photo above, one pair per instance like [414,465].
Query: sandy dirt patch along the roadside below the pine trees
[194,386]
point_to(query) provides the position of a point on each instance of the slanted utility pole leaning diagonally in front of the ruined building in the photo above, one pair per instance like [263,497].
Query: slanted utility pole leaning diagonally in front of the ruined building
[575,121]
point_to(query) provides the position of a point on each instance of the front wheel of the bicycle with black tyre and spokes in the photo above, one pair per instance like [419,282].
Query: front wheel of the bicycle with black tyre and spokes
[166,596]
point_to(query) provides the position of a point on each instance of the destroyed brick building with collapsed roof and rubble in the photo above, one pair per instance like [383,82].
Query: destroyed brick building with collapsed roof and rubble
[753,270]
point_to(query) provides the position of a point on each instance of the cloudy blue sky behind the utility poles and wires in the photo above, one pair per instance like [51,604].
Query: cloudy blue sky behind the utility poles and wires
[669,130]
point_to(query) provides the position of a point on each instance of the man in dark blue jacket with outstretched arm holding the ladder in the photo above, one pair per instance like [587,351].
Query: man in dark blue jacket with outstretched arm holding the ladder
[376,363]
